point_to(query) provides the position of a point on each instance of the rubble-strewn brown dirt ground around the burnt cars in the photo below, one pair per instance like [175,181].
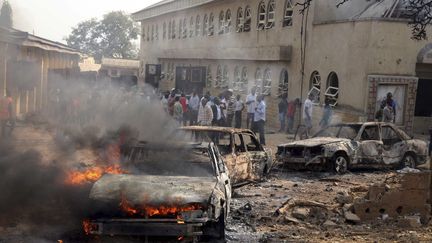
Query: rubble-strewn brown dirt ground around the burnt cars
[254,215]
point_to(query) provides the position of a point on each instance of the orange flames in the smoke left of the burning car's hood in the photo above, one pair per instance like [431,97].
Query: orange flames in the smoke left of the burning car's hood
[91,175]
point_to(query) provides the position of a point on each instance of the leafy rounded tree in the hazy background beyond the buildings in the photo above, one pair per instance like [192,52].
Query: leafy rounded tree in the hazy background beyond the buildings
[111,37]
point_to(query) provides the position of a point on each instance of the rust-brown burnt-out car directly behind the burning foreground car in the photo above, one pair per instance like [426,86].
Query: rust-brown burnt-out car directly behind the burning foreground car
[247,160]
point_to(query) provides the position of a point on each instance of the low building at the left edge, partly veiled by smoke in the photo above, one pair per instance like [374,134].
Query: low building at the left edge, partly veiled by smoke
[30,67]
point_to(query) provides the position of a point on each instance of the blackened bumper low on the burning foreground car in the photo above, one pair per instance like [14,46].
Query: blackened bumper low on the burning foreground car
[146,227]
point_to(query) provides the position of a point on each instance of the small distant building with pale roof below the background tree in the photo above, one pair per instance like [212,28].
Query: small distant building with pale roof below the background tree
[121,72]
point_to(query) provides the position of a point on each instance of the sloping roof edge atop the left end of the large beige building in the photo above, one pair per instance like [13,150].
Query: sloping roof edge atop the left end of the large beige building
[167,6]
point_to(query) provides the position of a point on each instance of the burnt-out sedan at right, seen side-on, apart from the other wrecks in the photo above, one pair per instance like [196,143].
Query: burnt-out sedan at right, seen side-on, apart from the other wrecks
[343,146]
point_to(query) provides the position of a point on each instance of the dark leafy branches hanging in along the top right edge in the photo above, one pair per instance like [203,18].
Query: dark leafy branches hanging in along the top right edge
[419,12]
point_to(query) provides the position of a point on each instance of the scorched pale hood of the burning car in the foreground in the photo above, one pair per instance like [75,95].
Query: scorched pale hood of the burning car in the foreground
[153,190]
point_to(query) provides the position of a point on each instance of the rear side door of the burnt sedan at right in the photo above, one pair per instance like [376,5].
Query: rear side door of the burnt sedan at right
[394,145]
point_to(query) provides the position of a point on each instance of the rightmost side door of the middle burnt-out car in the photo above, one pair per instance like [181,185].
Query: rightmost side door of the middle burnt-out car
[256,154]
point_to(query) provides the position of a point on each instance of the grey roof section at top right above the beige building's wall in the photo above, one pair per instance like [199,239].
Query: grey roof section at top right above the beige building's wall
[326,11]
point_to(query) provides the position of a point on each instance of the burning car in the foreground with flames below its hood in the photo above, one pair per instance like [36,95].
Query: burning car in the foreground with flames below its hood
[174,191]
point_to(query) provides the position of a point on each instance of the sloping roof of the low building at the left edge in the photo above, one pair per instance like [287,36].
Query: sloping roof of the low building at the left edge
[22,38]
